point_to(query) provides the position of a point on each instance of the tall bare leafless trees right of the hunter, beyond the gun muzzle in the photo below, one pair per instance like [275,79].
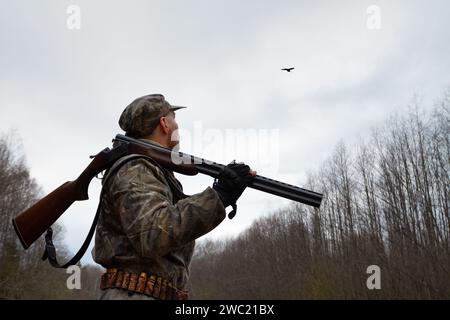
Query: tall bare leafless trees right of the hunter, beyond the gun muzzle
[386,204]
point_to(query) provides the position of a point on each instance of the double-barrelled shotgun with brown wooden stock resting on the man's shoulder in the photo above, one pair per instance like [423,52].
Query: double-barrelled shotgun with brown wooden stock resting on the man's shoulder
[33,222]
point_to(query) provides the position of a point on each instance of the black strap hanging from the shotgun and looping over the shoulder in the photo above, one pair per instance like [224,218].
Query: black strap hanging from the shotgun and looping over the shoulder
[50,251]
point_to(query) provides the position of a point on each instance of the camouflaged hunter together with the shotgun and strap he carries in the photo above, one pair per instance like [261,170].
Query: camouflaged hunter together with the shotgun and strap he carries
[146,225]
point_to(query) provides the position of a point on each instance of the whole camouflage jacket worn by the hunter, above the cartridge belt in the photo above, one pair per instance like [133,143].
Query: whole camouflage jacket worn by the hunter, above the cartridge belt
[144,226]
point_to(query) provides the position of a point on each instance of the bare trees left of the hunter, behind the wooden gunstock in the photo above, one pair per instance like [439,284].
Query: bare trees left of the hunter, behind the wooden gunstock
[23,275]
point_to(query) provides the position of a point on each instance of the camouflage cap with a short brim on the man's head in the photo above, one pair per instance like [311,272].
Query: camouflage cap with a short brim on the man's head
[142,116]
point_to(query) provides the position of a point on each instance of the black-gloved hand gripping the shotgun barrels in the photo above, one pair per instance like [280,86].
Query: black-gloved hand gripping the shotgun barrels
[232,181]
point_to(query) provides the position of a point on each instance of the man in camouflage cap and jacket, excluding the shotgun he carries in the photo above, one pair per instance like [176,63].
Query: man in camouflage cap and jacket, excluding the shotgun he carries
[147,227]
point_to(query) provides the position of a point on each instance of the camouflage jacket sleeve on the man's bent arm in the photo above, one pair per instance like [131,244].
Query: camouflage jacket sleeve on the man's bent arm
[152,223]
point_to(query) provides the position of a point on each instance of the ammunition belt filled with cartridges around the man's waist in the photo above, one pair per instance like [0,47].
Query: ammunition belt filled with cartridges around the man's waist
[150,285]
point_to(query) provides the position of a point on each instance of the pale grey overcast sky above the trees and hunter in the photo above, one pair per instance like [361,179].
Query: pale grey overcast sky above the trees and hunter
[62,90]
